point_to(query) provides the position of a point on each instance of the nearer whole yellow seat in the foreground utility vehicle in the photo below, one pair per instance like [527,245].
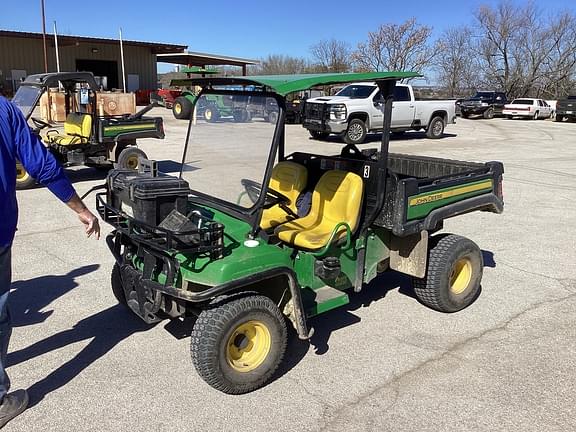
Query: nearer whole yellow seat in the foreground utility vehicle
[336,198]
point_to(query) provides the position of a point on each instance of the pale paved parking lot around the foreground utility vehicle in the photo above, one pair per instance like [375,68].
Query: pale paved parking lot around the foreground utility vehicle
[384,362]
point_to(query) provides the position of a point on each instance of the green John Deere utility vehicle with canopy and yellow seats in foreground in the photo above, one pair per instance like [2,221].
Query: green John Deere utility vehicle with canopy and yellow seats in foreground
[252,240]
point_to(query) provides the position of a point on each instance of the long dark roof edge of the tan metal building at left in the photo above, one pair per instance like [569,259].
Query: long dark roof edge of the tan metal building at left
[68,40]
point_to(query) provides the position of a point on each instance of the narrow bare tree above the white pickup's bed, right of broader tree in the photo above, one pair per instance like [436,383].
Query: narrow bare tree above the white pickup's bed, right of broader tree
[456,63]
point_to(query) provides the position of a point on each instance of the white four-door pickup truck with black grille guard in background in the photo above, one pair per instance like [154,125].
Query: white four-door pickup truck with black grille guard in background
[356,110]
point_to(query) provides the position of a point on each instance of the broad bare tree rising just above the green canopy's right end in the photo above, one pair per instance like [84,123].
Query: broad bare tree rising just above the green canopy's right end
[396,47]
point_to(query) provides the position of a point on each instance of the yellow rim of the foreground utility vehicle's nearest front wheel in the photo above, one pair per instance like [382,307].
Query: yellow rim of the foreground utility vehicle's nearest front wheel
[248,346]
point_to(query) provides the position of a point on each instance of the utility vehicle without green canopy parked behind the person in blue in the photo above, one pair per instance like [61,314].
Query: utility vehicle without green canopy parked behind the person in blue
[88,138]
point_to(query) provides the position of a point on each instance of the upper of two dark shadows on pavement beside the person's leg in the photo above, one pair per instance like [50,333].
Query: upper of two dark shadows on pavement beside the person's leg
[29,297]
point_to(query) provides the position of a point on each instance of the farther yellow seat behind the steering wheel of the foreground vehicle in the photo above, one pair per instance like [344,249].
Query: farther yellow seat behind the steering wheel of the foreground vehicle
[288,178]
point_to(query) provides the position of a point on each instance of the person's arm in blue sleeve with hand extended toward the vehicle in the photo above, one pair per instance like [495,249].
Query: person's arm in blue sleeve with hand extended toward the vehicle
[43,167]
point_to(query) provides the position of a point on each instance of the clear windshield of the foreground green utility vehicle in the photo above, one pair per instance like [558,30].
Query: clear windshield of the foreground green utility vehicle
[230,140]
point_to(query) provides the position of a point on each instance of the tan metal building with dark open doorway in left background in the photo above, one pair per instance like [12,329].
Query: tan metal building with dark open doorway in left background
[22,54]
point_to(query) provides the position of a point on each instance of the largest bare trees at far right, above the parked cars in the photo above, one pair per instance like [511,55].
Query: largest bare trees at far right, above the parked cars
[524,54]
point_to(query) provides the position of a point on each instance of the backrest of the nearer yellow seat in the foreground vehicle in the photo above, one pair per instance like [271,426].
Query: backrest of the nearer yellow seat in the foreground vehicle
[337,198]
